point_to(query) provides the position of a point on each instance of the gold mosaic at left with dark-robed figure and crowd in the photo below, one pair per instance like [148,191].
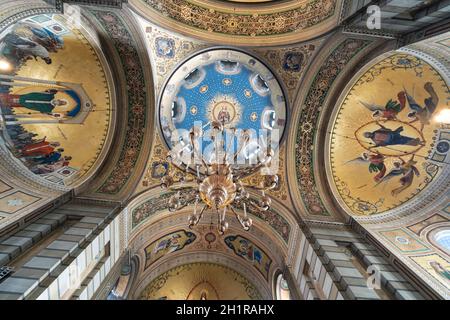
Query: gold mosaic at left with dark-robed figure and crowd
[54,98]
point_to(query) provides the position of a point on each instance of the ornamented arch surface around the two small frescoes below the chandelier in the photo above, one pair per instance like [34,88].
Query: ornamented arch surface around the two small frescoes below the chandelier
[164,223]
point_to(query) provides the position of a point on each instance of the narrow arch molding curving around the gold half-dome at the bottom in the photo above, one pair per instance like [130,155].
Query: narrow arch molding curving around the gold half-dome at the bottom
[203,257]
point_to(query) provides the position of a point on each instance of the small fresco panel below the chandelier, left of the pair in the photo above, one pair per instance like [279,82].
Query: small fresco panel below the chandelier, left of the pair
[167,244]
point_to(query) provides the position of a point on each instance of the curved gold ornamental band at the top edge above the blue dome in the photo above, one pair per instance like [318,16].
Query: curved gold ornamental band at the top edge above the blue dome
[276,23]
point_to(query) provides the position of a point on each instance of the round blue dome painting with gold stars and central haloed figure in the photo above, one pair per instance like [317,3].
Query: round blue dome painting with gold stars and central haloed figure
[226,86]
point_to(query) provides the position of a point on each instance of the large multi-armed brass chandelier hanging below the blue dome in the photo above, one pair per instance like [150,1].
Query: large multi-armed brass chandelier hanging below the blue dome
[216,183]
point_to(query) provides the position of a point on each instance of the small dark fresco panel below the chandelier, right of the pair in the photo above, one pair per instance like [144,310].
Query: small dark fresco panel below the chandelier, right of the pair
[247,250]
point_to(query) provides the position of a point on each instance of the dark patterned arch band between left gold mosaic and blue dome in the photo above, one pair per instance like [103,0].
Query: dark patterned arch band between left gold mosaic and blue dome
[125,164]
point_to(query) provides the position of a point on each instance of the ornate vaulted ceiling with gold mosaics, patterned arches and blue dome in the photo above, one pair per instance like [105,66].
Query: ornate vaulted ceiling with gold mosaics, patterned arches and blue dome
[359,142]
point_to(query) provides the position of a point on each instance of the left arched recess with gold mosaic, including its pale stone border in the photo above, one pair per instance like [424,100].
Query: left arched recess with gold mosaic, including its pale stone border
[30,132]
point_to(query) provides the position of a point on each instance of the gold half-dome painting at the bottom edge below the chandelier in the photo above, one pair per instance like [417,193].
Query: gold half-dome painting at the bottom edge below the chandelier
[200,281]
